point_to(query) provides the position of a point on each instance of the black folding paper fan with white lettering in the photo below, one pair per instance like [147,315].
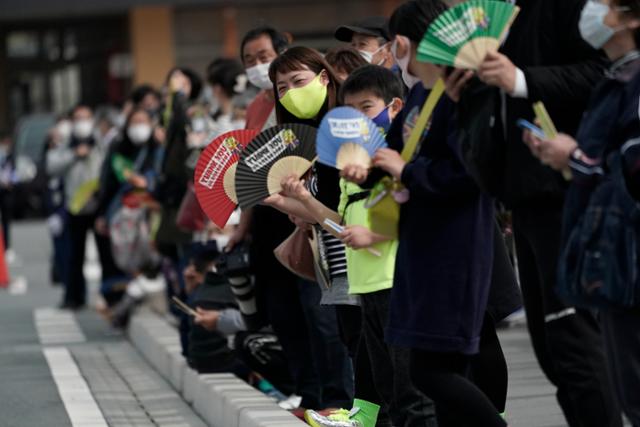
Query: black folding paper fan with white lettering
[275,154]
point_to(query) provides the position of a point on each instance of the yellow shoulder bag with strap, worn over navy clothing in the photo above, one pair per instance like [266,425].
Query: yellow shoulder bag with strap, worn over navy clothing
[384,211]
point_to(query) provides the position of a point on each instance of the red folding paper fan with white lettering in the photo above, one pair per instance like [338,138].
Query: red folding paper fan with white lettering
[214,177]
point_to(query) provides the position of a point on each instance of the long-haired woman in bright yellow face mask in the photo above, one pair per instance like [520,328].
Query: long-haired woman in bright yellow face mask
[306,87]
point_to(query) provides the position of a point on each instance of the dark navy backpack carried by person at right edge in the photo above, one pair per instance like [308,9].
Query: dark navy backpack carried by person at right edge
[599,264]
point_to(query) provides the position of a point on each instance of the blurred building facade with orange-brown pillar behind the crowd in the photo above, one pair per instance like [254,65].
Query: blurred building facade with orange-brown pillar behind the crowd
[56,53]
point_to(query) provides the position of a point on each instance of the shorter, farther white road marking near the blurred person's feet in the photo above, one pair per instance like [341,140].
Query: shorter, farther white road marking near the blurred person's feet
[57,327]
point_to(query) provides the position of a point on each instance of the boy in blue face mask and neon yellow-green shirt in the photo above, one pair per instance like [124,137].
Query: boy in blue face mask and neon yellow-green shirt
[377,92]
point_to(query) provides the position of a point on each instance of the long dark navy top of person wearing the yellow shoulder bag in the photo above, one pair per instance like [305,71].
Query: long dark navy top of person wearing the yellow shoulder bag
[445,251]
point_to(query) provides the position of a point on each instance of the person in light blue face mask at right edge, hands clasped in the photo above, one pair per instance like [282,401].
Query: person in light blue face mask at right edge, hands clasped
[607,146]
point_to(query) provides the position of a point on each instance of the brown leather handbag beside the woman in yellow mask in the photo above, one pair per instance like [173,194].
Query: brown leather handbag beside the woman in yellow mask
[296,255]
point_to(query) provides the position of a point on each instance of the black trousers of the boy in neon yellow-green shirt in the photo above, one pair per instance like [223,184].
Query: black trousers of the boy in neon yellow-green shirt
[407,406]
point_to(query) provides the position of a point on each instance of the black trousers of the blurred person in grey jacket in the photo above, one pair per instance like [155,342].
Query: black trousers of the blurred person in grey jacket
[76,286]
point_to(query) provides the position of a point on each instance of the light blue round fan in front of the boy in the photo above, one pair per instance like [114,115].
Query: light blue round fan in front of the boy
[348,137]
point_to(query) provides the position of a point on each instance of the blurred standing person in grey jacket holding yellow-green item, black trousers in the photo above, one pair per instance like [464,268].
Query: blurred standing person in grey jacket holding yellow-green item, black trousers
[79,164]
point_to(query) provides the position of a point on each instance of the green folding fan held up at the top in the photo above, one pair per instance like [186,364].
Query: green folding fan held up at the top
[463,35]
